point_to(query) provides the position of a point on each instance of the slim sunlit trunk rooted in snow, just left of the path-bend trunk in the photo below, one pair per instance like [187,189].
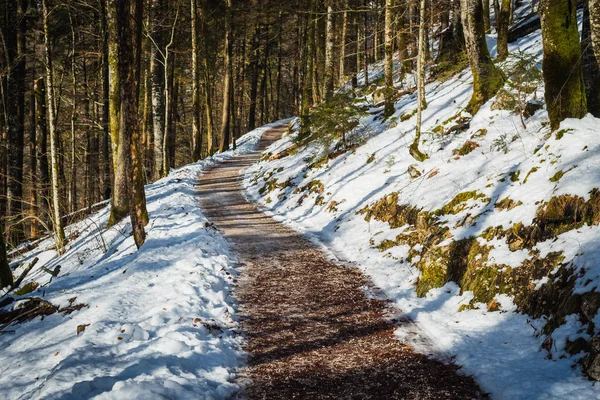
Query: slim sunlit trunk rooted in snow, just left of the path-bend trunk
[196,128]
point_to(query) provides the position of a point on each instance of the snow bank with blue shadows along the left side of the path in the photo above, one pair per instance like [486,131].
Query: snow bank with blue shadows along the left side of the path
[159,322]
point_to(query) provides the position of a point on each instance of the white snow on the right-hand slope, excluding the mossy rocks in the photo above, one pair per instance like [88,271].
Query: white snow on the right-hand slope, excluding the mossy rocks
[503,350]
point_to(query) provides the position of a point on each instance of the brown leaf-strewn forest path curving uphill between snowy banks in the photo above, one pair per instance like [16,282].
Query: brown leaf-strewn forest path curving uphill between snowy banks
[311,330]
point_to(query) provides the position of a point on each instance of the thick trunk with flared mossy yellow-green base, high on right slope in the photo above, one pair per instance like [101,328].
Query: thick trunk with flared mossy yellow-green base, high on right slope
[487,78]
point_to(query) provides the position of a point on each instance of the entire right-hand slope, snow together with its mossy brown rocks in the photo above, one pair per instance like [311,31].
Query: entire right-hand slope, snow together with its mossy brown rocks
[479,201]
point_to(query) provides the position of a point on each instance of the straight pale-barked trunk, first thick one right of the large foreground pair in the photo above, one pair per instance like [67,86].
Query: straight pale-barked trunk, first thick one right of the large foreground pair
[157,66]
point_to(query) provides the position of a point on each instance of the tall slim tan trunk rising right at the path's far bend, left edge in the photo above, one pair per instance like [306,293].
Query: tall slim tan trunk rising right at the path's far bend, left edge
[227,87]
